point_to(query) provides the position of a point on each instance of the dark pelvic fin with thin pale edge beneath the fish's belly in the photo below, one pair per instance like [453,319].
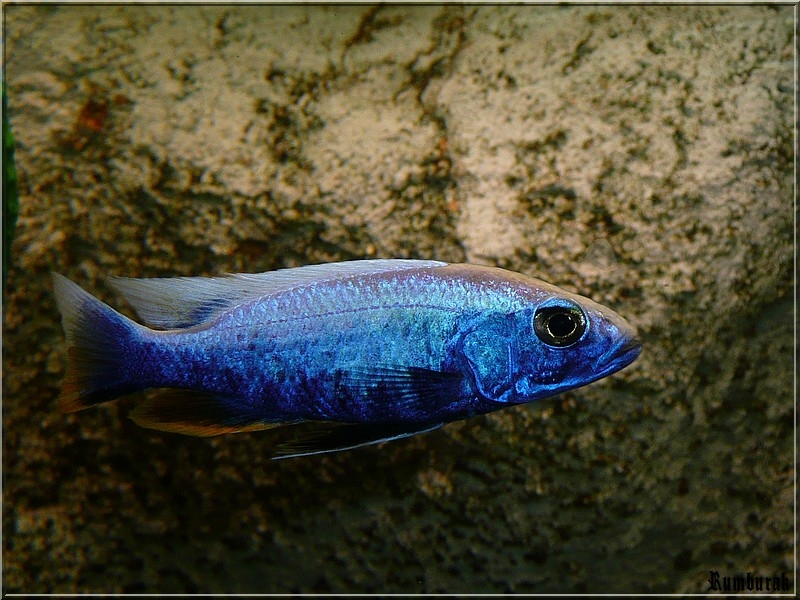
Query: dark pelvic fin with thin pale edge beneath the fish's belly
[334,437]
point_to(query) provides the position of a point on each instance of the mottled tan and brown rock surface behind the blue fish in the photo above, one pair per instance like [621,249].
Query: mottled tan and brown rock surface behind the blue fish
[641,156]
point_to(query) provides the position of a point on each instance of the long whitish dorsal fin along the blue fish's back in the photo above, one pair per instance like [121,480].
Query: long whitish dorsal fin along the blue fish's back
[177,302]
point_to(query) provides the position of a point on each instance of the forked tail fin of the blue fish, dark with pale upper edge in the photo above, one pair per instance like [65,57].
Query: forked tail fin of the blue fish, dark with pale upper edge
[99,340]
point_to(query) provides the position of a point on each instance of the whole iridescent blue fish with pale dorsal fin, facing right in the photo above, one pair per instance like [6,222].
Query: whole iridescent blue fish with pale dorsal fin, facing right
[368,350]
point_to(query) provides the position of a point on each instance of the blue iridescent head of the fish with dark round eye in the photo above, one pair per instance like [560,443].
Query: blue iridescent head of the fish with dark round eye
[558,342]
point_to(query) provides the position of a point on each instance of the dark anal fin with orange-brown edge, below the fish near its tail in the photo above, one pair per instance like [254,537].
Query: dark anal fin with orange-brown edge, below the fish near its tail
[196,413]
